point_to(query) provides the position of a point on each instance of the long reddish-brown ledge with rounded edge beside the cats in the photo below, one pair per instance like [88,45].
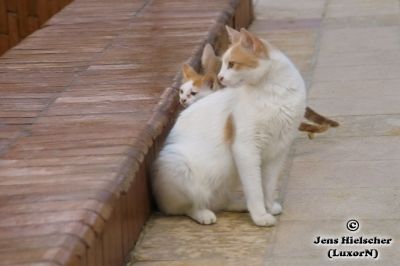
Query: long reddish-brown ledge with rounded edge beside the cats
[83,108]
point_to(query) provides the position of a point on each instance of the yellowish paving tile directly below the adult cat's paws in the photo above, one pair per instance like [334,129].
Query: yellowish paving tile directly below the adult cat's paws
[234,236]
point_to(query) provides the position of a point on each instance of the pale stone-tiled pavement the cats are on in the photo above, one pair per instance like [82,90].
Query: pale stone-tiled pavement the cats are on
[348,52]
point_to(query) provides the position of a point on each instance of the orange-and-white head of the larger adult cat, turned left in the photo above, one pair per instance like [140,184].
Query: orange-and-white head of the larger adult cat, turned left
[245,61]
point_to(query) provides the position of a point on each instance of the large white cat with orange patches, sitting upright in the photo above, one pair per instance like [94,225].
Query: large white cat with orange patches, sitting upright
[240,133]
